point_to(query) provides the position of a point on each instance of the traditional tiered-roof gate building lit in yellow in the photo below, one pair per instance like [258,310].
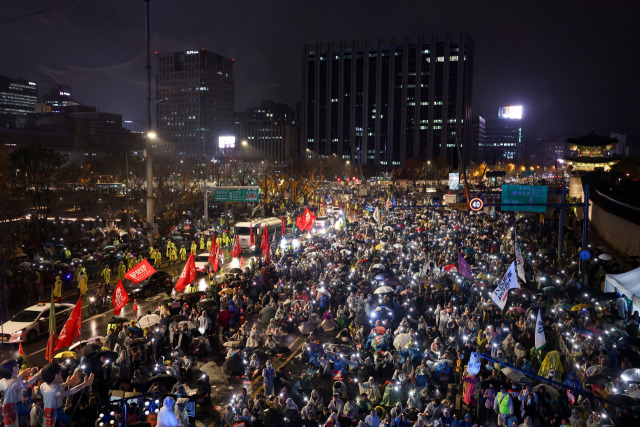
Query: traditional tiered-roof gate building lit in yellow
[590,152]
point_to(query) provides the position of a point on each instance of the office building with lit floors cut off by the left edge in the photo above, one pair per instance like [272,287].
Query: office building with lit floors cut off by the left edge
[17,97]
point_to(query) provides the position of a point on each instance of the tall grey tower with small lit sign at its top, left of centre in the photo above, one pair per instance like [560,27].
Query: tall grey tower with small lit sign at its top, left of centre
[195,93]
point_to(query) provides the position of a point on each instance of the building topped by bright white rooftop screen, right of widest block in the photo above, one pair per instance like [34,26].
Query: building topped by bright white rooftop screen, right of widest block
[503,136]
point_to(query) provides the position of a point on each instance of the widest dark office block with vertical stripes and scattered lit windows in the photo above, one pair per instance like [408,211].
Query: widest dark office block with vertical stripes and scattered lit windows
[386,100]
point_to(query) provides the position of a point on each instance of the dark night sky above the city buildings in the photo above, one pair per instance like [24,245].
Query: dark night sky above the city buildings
[572,64]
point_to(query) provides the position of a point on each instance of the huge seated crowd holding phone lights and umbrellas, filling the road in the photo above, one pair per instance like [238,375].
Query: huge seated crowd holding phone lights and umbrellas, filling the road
[394,335]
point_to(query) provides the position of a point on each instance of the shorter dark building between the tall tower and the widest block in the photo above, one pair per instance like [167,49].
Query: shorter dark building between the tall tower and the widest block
[267,132]
